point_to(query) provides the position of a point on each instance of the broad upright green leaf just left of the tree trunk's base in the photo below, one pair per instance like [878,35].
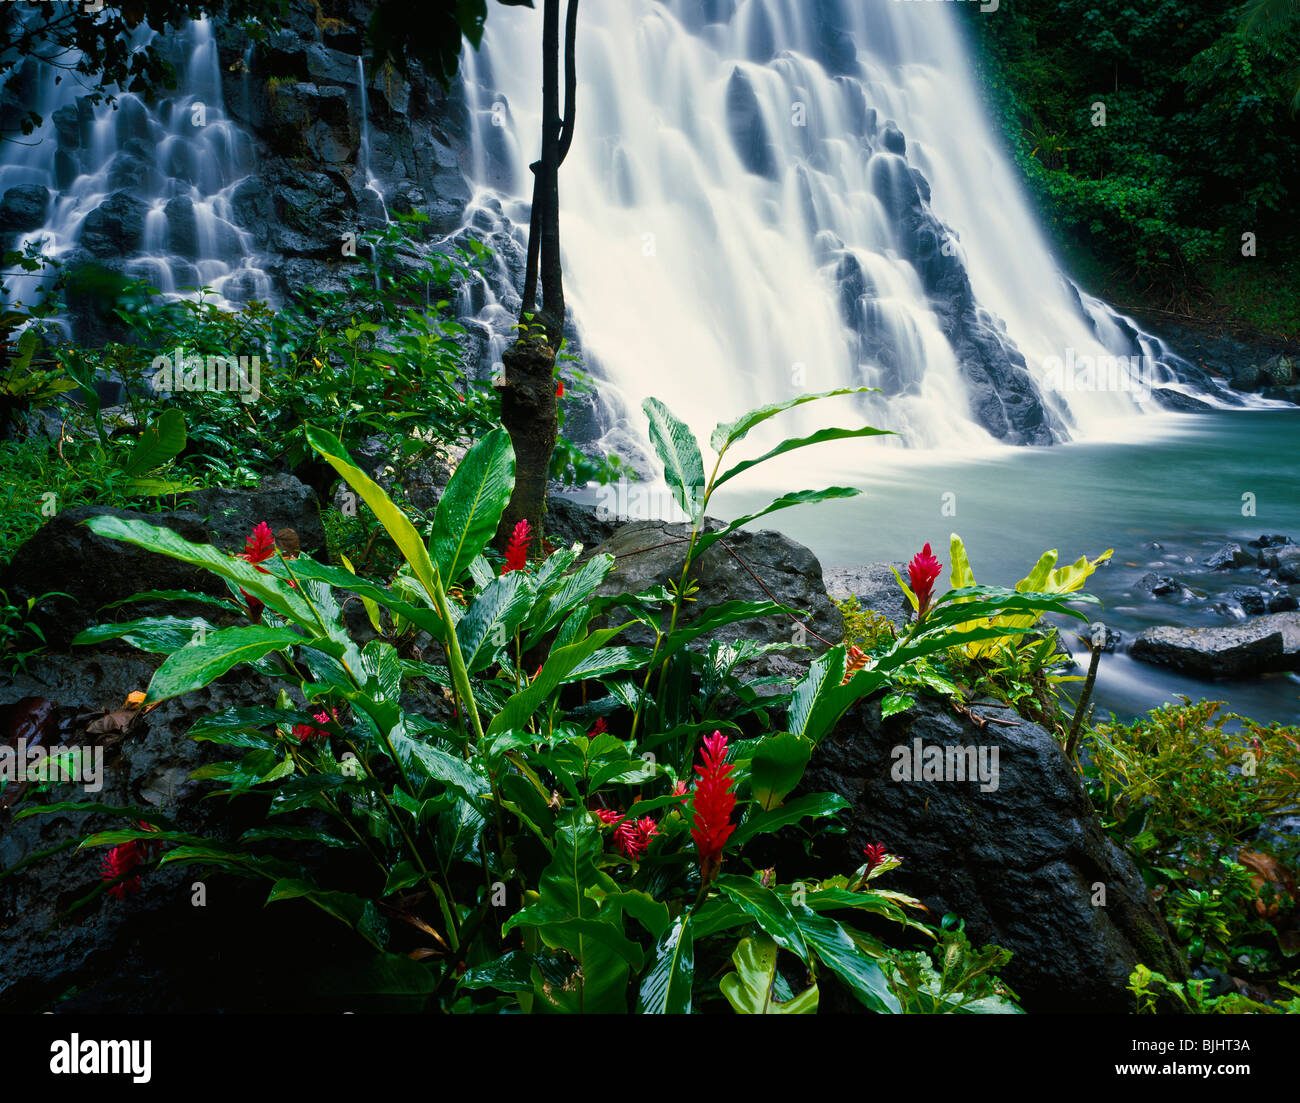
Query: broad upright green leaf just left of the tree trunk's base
[471,508]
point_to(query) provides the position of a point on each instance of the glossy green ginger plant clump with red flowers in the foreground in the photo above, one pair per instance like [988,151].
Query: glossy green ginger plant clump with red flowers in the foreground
[482,823]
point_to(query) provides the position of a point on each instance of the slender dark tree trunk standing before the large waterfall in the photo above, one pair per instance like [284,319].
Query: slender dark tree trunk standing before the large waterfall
[528,408]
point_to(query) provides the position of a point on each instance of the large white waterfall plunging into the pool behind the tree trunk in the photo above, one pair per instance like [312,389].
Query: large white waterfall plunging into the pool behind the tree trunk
[740,217]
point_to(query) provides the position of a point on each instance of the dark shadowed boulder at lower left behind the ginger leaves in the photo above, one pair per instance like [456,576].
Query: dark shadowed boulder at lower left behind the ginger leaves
[157,950]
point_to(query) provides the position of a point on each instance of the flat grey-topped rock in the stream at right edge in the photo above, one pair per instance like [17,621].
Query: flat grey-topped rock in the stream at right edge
[1262,646]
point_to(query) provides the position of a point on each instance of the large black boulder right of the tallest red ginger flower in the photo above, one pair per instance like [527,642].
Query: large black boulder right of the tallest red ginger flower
[1021,858]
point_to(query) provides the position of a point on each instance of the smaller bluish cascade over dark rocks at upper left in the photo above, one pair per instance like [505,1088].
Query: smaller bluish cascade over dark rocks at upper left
[176,166]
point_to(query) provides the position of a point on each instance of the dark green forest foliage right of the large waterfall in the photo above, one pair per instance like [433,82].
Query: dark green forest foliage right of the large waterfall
[1202,141]
